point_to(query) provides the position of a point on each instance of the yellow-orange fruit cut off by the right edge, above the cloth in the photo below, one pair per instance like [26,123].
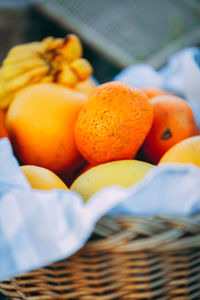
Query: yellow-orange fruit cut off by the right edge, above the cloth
[186,151]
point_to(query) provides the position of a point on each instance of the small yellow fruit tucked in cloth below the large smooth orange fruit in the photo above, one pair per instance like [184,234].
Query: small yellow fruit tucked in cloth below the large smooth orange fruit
[42,178]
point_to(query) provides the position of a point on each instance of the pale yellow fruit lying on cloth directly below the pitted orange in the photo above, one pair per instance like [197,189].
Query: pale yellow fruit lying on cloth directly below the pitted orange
[123,172]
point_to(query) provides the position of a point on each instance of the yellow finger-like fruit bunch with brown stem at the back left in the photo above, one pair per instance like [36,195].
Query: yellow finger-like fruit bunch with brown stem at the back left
[51,60]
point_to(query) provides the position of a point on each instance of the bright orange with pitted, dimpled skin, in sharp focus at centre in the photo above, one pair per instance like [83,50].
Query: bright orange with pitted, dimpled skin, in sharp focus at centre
[114,123]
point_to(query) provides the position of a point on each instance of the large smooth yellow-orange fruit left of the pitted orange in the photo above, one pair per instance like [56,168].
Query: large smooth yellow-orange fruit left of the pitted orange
[40,122]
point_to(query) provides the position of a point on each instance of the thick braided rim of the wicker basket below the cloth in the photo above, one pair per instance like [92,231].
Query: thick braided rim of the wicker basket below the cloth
[161,233]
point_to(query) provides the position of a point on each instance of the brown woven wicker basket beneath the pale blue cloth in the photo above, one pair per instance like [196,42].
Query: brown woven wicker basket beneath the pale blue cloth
[126,258]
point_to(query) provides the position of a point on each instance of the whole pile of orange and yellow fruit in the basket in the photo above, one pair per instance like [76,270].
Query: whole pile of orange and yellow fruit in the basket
[65,131]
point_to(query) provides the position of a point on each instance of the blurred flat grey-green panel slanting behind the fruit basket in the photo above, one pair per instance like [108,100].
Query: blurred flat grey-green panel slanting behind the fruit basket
[130,31]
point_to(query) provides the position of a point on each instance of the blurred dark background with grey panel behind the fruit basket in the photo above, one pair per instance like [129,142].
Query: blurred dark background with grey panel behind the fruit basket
[114,33]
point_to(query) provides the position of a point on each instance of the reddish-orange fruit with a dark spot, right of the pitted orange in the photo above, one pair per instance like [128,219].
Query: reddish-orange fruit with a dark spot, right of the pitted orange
[173,122]
